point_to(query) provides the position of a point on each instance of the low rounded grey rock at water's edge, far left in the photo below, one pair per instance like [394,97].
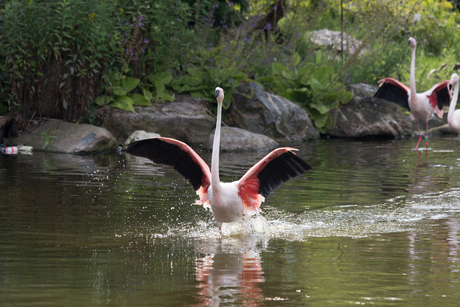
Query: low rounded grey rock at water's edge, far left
[67,138]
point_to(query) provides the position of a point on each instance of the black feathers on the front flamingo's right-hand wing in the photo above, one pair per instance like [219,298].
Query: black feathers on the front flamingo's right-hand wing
[280,170]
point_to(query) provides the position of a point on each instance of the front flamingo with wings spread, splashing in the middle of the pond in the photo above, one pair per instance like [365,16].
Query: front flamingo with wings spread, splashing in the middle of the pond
[229,201]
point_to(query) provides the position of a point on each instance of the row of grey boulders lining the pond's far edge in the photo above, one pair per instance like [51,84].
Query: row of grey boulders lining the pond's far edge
[255,120]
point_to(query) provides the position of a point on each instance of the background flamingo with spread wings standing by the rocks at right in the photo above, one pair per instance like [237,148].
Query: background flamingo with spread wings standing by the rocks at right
[422,105]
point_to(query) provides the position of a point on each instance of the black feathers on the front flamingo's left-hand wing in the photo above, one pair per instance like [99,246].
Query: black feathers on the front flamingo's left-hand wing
[165,153]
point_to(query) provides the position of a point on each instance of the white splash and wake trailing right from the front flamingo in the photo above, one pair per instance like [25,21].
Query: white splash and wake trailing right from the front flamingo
[395,215]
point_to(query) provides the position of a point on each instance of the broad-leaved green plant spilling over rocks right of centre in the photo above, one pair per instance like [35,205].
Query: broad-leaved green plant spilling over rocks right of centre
[313,86]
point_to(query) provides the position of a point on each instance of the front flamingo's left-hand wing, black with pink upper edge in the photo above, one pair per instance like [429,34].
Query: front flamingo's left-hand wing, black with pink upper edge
[180,156]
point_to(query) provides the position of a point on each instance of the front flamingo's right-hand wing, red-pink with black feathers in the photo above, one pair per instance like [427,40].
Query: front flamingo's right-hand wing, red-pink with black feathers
[275,168]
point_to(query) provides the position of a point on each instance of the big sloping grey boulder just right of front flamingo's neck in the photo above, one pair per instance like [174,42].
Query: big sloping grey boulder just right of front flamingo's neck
[255,110]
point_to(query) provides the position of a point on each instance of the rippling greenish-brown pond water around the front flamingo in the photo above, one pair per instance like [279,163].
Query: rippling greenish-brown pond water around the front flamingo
[374,223]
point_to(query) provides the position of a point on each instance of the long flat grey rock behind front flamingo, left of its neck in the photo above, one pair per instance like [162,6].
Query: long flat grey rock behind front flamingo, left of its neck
[186,121]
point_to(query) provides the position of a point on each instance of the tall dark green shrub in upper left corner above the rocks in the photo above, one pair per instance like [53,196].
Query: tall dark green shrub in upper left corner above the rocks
[55,53]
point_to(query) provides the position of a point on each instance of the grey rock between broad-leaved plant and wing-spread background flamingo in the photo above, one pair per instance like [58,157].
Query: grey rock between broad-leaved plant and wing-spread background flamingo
[367,116]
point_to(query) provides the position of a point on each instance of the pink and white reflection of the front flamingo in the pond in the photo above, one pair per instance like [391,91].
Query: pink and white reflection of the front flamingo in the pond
[229,273]
